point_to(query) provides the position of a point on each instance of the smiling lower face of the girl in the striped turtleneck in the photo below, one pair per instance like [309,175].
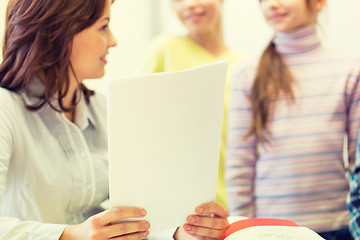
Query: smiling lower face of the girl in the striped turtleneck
[288,15]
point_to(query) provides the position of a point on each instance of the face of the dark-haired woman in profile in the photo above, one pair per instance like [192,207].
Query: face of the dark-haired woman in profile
[90,47]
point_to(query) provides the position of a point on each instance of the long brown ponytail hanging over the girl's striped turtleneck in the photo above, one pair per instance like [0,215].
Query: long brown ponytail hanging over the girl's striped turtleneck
[272,78]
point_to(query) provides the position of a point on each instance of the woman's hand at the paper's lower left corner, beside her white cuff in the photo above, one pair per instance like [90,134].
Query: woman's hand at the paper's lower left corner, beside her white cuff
[102,226]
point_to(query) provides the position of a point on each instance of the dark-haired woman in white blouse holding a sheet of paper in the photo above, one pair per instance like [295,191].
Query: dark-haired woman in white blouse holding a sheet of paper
[53,132]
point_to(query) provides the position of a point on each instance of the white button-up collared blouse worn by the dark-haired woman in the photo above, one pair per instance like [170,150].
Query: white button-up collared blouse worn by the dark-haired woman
[53,172]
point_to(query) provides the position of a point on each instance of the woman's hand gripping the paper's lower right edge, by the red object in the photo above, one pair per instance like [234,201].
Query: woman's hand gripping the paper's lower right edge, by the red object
[209,223]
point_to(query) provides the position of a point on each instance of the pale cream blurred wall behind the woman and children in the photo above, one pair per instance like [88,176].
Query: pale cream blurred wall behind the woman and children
[135,22]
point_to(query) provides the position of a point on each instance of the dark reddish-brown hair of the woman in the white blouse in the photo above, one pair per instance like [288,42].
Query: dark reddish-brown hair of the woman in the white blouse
[37,43]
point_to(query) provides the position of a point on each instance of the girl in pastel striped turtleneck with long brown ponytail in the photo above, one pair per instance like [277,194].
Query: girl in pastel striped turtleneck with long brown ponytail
[288,114]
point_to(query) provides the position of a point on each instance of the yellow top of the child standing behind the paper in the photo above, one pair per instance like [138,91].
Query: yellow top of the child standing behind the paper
[174,53]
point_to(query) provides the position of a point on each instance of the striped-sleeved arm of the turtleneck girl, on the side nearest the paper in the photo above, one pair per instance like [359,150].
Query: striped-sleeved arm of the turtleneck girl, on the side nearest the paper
[241,152]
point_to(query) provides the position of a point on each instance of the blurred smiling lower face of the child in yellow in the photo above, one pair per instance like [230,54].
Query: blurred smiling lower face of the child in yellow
[198,16]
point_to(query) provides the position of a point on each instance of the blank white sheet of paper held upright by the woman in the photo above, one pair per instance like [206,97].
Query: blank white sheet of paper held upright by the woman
[164,141]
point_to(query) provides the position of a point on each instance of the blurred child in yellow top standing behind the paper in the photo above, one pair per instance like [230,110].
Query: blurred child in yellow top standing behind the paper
[203,44]
